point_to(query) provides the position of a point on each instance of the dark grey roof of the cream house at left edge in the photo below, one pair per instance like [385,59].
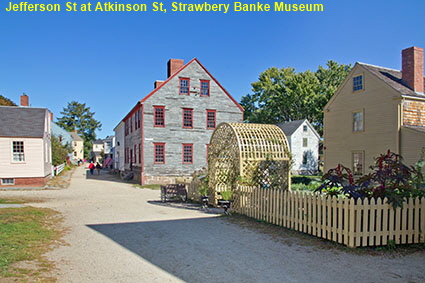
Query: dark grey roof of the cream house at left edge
[22,121]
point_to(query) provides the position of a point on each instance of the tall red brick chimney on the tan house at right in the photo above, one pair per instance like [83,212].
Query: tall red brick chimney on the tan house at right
[412,68]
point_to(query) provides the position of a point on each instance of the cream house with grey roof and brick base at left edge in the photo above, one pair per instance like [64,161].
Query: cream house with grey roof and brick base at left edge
[25,148]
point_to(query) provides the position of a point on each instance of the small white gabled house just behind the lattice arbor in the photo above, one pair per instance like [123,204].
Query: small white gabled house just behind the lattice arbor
[304,145]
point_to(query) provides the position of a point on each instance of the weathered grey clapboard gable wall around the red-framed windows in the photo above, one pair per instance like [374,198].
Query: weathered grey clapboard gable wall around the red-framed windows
[173,134]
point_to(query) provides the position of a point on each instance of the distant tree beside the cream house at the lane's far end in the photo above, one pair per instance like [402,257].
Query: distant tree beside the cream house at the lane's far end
[77,116]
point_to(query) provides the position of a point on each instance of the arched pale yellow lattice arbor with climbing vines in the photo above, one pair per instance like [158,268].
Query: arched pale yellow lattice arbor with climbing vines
[248,155]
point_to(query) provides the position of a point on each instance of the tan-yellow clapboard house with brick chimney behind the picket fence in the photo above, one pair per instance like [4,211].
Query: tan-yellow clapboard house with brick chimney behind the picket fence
[376,109]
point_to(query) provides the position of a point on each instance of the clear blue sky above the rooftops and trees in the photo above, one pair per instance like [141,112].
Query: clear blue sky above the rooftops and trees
[110,60]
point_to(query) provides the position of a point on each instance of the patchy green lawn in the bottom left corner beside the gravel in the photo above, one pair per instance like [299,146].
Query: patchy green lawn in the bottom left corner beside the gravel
[25,235]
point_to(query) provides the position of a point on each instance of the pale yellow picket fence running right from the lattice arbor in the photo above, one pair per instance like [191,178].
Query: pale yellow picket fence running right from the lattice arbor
[360,223]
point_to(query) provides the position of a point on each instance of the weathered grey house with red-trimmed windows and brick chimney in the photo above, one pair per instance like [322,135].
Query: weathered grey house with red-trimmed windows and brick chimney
[167,132]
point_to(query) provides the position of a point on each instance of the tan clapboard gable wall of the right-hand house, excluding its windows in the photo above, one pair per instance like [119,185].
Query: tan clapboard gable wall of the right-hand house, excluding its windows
[379,104]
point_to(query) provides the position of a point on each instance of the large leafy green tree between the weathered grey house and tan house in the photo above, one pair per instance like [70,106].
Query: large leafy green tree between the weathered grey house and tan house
[282,95]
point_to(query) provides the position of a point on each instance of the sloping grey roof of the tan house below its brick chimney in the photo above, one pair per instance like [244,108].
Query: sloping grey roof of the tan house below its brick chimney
[393,78]
